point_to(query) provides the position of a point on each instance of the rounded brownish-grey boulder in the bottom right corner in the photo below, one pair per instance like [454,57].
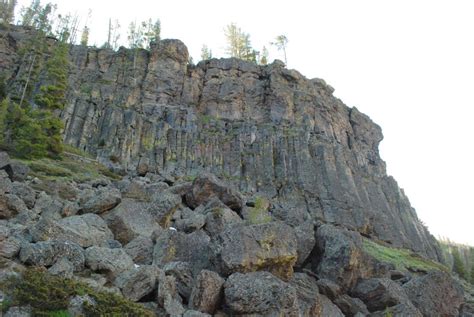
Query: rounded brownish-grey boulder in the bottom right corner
[435,294]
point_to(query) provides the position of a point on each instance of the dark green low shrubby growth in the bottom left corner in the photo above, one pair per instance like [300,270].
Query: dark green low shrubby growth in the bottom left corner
[49,295]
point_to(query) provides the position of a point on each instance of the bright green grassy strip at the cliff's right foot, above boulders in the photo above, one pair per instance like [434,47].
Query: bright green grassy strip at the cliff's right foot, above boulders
[402,259]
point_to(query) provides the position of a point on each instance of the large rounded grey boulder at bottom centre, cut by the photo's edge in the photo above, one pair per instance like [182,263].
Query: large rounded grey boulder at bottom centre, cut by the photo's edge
[260,293]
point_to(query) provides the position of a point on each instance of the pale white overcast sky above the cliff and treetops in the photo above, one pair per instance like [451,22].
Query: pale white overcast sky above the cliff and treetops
[407,64]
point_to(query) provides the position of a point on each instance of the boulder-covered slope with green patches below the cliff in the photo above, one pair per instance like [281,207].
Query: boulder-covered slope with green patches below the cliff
[162,245]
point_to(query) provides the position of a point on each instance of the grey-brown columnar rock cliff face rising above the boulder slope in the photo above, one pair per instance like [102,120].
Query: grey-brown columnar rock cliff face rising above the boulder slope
[267,129]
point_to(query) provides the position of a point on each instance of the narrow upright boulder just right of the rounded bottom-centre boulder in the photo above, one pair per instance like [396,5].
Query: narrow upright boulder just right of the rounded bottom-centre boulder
[308,296]
